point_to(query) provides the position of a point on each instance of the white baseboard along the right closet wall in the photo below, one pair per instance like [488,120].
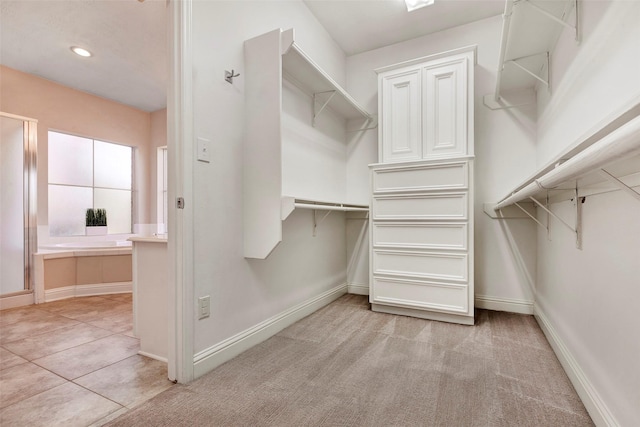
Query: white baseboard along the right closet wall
[592,401]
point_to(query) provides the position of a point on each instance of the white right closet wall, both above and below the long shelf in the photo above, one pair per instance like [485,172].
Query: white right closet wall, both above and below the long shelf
[590,296]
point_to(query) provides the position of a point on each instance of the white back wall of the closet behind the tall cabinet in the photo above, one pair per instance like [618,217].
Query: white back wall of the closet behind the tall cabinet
[504,148]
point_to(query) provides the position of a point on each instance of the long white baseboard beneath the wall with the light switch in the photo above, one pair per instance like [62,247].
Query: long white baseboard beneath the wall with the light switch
[212,357]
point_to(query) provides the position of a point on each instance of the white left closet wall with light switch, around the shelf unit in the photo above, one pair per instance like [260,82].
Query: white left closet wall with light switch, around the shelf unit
[247,292]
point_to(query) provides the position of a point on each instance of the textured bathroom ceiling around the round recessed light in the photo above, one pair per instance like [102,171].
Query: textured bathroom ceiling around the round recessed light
[127,38]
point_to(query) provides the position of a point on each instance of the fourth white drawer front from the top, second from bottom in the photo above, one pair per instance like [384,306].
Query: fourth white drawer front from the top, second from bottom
[429,265]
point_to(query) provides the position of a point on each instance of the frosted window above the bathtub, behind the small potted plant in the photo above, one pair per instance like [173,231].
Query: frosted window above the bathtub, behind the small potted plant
[86,173]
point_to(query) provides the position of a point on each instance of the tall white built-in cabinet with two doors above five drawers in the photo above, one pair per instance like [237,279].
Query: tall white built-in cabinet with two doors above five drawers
[421,221]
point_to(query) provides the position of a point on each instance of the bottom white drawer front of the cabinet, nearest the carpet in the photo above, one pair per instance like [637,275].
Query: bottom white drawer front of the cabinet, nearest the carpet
[452,298]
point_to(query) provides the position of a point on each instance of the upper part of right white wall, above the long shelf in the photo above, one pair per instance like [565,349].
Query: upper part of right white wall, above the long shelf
[593,81]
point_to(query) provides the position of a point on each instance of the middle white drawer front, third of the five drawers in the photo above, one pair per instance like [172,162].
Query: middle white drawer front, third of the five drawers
[423,235]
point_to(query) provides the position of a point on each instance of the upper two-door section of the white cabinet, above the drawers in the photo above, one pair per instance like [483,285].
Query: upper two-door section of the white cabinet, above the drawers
[426,108]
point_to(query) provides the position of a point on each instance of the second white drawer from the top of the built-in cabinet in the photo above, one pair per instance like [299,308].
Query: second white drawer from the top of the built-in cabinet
[422,206]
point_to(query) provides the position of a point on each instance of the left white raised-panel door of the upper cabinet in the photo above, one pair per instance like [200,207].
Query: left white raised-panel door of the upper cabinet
[401,112]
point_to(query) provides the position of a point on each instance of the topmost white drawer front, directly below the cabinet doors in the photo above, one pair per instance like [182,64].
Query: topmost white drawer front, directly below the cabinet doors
[444,176]
